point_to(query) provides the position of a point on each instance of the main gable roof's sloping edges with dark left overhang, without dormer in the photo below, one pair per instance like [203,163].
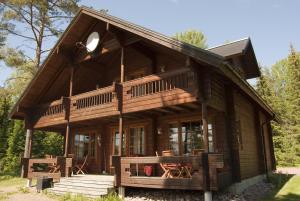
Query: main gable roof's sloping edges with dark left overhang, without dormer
[48,70]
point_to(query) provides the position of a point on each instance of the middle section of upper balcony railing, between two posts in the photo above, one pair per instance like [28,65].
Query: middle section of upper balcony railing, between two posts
[94,104]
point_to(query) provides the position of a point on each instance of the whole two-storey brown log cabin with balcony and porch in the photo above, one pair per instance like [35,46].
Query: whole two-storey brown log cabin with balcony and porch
[141,101]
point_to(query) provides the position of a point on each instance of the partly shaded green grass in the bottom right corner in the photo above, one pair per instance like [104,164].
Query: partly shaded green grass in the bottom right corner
[287,188]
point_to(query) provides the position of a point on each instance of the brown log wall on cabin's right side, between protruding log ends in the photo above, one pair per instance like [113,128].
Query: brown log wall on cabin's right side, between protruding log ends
[248,142]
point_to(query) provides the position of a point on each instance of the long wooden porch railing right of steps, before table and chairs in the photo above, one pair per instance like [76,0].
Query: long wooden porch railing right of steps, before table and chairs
[200,172]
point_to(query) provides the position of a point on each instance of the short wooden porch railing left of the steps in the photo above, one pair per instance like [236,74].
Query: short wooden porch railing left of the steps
[38,167]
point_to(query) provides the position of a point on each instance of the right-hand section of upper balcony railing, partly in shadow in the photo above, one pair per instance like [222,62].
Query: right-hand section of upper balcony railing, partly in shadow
[156,91]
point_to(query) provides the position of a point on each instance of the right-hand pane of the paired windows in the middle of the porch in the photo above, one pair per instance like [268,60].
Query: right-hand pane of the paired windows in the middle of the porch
[137,144]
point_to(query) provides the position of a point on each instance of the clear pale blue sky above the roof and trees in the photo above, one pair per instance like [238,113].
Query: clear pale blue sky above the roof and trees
[272,25]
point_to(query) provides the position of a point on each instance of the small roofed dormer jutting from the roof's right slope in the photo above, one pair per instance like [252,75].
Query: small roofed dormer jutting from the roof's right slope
[241,56]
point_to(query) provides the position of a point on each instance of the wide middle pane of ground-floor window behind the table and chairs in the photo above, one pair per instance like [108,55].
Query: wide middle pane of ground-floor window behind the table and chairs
[192,137]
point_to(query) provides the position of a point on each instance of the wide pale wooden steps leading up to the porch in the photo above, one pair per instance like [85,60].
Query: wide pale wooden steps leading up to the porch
[92,186]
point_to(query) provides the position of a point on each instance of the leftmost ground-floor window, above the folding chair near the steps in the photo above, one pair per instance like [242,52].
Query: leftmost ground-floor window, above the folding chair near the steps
[84,145]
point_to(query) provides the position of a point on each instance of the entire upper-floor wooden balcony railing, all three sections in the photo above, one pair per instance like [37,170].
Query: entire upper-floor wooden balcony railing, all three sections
[146,93]
